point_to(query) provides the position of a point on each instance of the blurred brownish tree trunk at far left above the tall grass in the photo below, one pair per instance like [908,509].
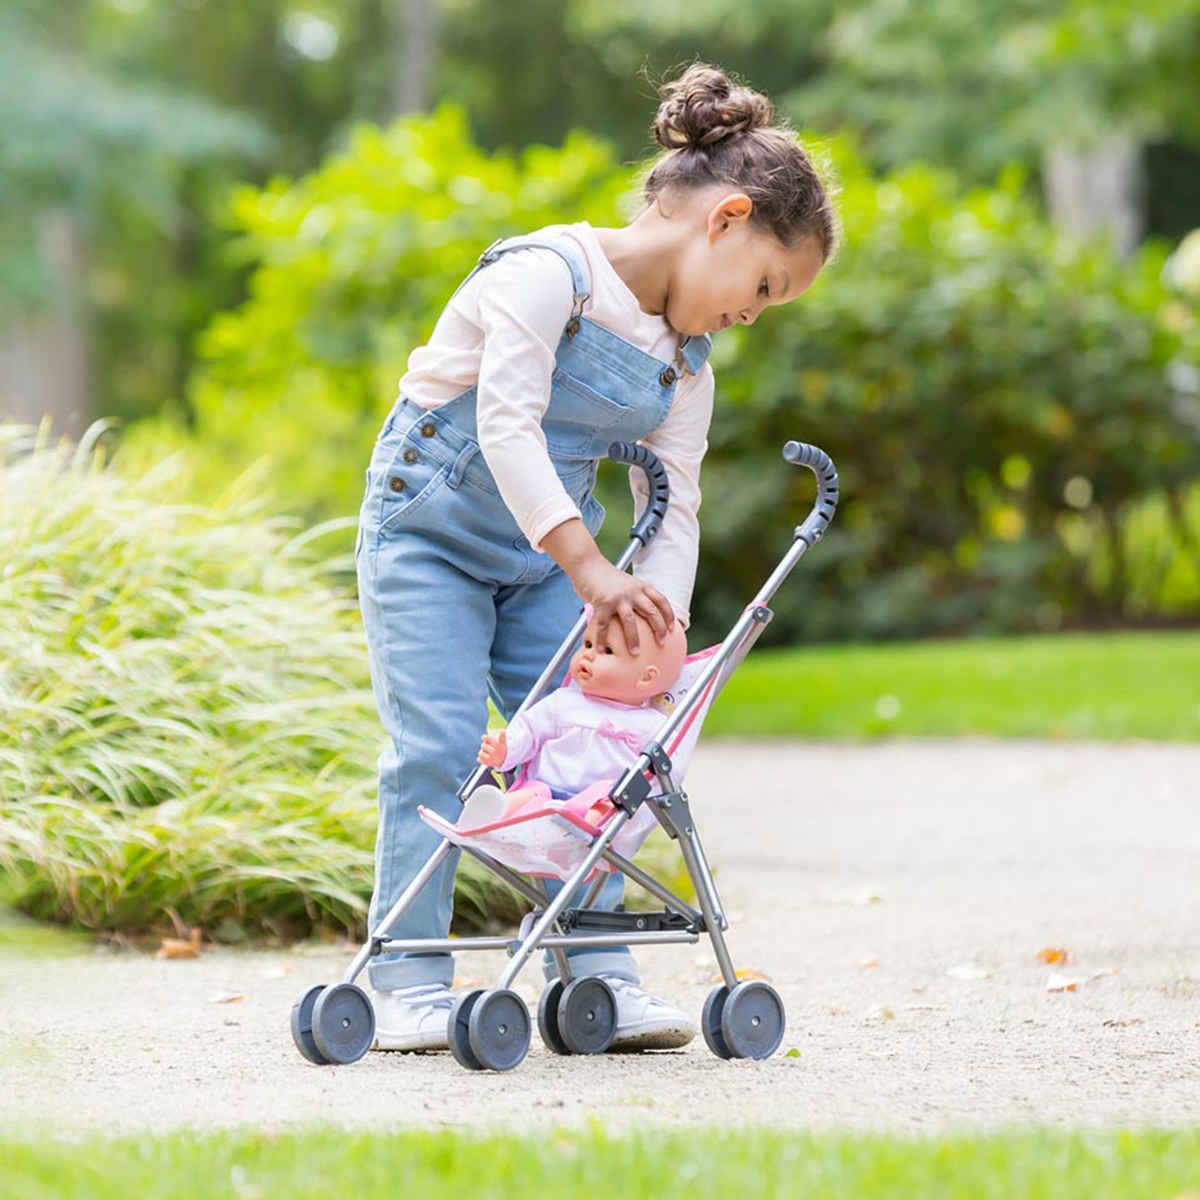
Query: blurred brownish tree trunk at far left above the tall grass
[46,356]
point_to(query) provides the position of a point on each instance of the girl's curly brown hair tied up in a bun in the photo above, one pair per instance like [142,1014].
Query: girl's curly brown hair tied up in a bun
[719,133]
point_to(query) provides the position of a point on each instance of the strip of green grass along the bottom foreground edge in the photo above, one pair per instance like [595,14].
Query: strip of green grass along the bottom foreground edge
[664,1166]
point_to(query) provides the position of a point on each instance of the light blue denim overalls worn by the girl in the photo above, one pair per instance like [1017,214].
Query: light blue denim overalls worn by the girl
[457,603]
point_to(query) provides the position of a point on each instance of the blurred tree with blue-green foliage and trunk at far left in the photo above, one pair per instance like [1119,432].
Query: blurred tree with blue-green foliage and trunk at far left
[81,147]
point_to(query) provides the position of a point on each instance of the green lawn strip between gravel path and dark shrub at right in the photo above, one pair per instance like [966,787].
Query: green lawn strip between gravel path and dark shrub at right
[1105,686]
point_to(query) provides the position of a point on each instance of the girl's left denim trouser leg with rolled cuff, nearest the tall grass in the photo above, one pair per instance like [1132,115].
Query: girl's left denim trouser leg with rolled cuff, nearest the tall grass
[429,631]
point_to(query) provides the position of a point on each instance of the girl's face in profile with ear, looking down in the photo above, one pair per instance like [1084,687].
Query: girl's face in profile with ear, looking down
[731,269]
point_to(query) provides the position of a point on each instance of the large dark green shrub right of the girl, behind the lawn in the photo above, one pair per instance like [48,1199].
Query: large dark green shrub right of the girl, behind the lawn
[1015,417]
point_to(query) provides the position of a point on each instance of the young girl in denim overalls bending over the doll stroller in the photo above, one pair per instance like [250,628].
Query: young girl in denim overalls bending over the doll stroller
[476,543]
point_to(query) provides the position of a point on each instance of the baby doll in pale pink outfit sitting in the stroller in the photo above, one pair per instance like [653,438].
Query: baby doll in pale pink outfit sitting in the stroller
[579,736]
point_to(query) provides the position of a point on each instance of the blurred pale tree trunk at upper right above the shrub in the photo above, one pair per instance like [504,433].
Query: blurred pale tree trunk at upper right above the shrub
[1093,190]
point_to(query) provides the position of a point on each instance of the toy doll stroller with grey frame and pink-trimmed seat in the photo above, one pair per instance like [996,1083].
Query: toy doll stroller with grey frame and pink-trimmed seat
[490,1030]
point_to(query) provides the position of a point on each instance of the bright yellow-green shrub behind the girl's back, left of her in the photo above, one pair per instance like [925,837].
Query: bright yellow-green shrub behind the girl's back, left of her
[353,266]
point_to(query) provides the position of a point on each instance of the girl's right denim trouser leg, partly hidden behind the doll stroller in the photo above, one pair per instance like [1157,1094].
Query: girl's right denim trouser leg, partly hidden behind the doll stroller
[533,620]
